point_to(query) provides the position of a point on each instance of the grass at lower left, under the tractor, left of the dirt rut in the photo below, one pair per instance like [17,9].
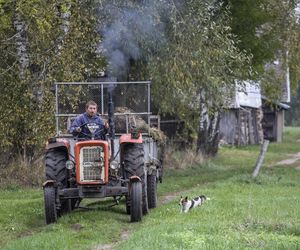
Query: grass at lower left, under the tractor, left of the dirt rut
[23,226]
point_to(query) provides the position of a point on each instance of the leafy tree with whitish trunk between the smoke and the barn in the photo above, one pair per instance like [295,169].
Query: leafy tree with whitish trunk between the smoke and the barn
[195,71]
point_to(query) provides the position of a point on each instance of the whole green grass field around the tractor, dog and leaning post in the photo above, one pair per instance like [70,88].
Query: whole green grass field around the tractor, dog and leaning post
[242,214]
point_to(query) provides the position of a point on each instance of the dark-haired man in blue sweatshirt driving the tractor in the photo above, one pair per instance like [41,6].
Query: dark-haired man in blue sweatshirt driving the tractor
[79,125]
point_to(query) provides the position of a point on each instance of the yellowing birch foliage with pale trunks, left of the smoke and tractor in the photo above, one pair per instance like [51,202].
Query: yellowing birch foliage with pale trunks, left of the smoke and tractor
[41,42]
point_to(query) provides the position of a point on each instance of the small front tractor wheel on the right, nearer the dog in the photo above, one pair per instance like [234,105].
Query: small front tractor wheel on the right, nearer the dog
[136,201]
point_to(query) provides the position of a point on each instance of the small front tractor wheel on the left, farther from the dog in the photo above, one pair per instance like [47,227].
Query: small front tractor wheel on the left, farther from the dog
[50,206]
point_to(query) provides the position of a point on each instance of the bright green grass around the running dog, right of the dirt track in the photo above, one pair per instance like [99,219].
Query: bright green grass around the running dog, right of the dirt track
[241,214]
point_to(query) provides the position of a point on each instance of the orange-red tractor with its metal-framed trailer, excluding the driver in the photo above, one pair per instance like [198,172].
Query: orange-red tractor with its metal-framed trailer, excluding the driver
[126,164]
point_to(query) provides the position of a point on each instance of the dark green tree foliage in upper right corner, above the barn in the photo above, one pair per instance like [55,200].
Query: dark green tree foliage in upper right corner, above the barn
[268,31]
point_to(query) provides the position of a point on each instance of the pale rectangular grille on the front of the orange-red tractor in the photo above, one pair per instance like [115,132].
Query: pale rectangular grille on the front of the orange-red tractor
[91,164]
